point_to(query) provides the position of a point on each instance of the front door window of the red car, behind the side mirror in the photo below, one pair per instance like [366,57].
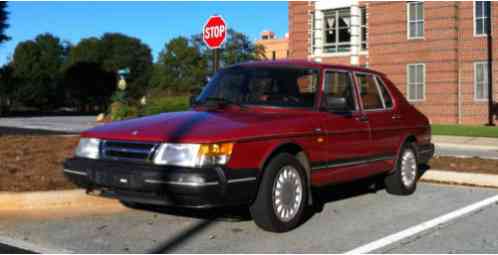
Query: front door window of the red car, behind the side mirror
[339,93]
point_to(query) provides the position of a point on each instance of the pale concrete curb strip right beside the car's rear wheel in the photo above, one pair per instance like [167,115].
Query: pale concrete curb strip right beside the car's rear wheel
[474,179]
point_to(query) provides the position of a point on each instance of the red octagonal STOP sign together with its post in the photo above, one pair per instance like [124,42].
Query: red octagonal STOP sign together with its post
[214,35]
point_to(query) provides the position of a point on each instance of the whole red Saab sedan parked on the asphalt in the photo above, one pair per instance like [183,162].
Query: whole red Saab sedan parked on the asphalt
[261,134]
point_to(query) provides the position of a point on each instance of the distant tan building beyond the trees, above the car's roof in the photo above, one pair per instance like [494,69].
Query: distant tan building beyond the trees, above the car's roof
[275,48]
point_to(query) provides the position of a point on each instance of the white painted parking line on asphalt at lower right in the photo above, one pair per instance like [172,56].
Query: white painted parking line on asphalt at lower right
[375,245]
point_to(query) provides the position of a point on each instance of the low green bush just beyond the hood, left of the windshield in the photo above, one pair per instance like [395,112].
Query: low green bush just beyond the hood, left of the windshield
[158,105]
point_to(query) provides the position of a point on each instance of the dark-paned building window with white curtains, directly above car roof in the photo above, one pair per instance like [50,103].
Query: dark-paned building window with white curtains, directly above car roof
[337,30]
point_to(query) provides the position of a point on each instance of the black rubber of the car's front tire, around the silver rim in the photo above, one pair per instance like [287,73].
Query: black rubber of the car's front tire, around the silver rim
[262,209]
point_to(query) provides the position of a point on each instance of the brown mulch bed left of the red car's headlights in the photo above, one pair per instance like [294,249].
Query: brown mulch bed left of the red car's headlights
[30,162]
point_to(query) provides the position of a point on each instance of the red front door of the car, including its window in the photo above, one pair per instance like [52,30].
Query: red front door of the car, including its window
[346,130]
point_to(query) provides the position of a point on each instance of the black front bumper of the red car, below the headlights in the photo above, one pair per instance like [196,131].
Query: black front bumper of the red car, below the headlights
[163,185]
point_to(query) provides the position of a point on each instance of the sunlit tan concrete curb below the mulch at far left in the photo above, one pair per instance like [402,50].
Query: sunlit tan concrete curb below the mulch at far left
[51,199]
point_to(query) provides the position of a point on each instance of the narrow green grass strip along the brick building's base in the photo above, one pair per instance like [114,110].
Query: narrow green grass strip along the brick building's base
[465,130]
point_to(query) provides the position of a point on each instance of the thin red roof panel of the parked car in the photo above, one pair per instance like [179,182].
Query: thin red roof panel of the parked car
[305,63]
